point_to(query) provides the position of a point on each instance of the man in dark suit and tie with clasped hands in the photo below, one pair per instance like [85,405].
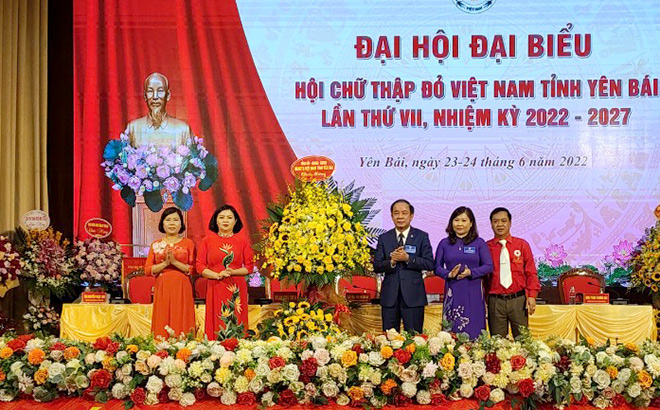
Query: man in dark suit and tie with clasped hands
[402,254]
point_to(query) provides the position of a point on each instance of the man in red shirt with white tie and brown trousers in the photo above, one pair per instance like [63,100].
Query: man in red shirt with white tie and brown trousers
[514,284]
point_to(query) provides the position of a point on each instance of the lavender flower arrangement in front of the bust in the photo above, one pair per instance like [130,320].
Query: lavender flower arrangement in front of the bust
[159,172]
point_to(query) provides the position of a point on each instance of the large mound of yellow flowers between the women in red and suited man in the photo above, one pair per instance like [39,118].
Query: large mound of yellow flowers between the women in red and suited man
[319,235]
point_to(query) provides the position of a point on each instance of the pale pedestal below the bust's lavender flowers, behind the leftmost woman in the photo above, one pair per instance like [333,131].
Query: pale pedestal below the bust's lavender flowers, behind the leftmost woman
[145,226]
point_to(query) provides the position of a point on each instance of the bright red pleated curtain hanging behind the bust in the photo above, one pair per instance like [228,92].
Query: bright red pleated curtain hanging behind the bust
[201,47]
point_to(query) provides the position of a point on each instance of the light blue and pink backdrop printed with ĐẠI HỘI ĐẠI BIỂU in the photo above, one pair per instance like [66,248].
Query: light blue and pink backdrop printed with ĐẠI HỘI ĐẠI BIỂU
[587,208]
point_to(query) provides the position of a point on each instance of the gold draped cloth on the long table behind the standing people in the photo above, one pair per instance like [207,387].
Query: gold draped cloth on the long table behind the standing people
[86,322]
